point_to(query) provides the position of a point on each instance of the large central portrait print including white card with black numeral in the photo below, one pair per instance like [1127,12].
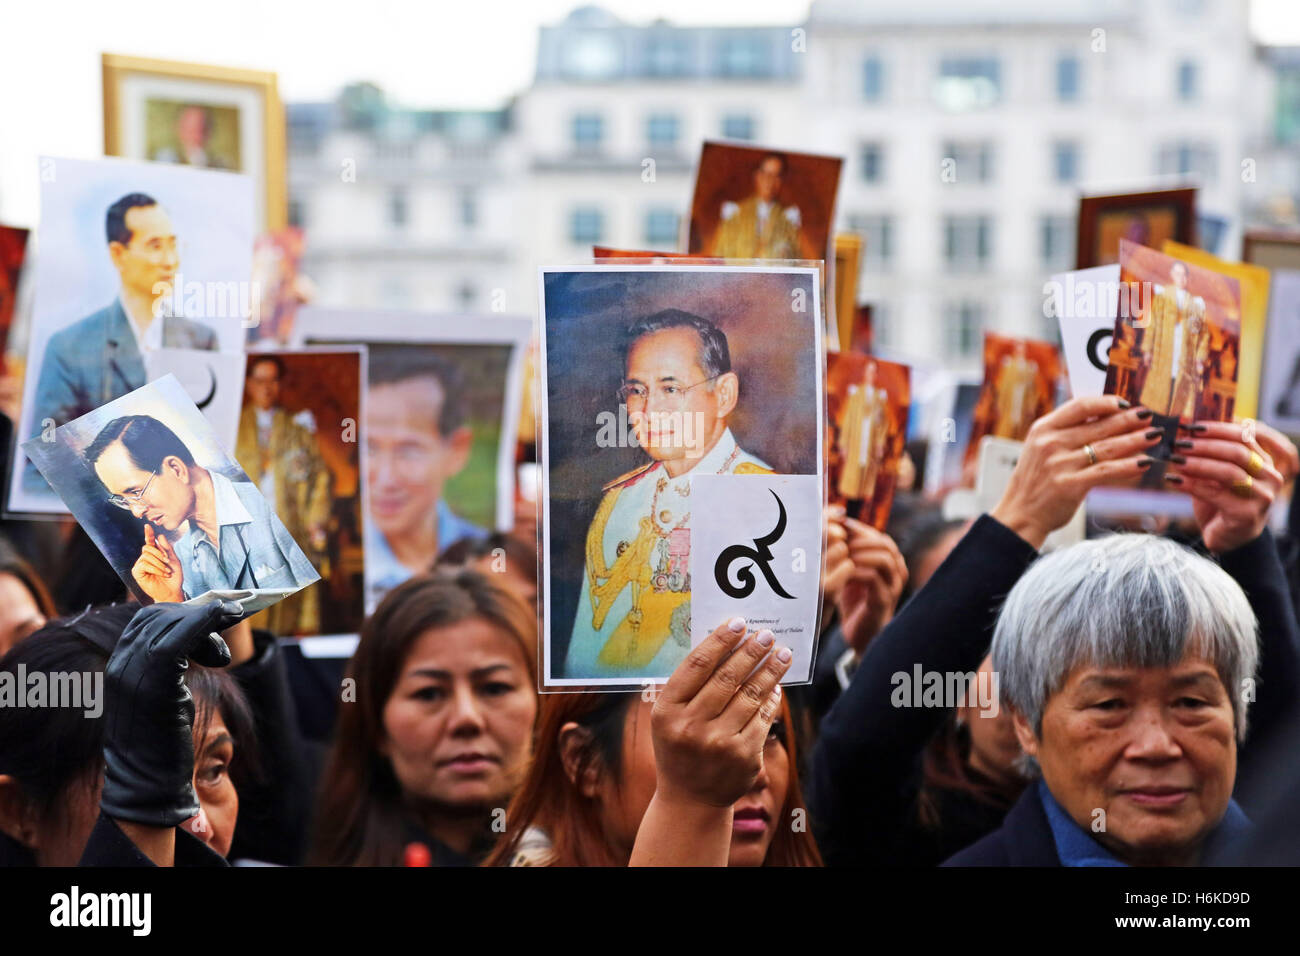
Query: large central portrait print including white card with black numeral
[682,465]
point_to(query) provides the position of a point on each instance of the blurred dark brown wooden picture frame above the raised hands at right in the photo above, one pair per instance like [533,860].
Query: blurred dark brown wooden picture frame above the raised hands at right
[1146,219]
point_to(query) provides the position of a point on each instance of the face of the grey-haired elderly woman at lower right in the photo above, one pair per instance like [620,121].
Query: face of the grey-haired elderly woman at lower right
[1154,747]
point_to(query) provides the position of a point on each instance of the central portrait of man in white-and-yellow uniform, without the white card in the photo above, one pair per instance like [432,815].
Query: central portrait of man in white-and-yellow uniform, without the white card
[652,375]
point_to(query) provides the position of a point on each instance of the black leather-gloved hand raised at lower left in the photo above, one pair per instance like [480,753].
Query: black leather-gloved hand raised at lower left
[149,742]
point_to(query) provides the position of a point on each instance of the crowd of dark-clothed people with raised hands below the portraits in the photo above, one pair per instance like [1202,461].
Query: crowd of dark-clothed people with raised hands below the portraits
[1128,700]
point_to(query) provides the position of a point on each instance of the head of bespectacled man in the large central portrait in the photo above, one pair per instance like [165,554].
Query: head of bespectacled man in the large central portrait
[681,414]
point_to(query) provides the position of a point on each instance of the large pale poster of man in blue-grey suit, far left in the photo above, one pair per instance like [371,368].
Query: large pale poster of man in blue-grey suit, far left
[145,270]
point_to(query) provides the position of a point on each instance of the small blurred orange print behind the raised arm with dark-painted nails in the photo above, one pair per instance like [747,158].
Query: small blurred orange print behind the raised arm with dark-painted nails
[1021,380]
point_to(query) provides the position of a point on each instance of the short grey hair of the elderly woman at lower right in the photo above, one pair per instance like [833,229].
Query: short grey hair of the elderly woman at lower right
[1121,602]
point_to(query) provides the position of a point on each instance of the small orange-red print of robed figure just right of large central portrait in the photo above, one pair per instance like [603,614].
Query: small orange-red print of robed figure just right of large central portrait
[868,406]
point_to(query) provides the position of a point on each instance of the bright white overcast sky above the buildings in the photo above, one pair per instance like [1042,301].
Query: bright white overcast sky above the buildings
[424,53]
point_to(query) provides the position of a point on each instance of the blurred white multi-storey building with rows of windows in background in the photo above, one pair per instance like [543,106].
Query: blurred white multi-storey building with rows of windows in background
[969,129]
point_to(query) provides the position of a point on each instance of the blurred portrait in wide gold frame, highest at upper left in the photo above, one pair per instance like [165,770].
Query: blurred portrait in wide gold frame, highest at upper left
[209,118]
